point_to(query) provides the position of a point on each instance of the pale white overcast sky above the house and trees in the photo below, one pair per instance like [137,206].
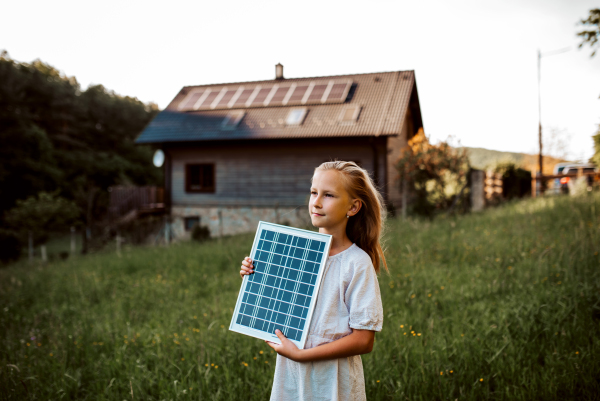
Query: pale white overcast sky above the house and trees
[475,61]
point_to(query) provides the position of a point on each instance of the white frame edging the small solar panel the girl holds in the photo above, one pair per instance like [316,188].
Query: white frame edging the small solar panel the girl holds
[262,225]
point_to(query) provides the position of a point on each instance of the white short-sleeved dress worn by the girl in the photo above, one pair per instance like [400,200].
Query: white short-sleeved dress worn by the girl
[349,298]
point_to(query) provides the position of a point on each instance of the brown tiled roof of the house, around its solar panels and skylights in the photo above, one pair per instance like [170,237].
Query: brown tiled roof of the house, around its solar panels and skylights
[383,99]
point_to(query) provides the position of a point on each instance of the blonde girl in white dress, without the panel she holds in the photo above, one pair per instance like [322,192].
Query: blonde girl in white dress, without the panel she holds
[344,203]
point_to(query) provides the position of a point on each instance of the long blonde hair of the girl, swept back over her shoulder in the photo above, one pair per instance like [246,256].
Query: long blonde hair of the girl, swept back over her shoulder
[366,227]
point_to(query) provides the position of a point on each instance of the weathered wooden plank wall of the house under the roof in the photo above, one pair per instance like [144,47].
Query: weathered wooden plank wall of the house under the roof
[268,173]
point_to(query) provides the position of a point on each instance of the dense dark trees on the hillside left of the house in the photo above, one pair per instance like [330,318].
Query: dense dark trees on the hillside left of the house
[57,138]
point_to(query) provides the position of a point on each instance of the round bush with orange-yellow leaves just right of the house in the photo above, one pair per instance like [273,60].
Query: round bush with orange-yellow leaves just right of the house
[436,174]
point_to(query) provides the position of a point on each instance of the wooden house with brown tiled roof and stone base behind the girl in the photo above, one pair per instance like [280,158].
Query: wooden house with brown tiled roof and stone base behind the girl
[242,152]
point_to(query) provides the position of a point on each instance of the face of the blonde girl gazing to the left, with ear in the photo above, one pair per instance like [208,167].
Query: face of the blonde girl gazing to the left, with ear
[330,203]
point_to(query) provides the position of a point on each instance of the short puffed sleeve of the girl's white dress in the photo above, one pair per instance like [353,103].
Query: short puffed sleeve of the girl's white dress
[362,296]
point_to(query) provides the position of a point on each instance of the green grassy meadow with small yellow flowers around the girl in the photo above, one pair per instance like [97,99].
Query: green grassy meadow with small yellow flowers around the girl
[499,305]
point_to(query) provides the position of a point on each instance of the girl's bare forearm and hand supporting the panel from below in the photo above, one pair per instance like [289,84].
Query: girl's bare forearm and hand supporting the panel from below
[357,343]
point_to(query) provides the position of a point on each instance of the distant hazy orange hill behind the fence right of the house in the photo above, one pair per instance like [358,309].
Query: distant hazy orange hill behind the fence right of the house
[483,159]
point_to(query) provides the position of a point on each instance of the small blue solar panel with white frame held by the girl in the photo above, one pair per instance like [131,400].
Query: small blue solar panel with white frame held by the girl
[289,265]
